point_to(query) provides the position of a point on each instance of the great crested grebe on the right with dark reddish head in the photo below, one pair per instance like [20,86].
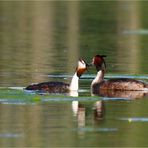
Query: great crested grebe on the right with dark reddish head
[121,84]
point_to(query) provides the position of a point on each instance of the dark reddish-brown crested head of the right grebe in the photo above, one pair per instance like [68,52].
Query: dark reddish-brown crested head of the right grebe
[99,62]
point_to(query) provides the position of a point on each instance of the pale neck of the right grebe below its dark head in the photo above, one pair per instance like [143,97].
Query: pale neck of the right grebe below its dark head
[99,78]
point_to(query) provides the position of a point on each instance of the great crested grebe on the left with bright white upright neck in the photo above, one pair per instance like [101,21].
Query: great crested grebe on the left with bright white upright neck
[61,87]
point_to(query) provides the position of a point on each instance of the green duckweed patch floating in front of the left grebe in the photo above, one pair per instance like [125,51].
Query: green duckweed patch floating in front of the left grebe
[15,95]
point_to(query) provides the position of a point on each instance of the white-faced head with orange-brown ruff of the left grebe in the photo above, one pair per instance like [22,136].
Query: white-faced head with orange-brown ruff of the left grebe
[81,68]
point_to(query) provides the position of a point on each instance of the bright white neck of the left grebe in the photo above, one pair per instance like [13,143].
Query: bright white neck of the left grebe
[74,85]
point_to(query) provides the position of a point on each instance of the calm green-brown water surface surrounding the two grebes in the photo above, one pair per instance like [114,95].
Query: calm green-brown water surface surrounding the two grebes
[42,41]
